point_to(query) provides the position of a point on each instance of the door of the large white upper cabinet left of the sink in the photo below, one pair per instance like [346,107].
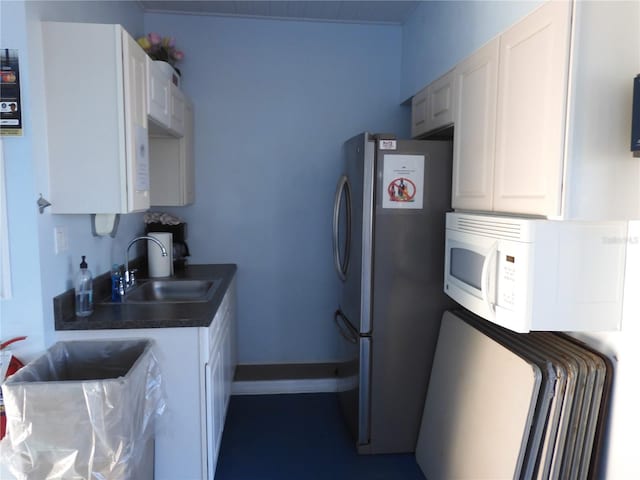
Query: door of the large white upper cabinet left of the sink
[135,113]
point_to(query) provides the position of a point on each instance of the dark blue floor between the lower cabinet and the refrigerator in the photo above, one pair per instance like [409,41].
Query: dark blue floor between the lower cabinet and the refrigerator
[299,437]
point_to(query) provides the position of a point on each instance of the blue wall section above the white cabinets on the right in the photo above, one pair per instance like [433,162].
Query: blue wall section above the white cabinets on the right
[441,33]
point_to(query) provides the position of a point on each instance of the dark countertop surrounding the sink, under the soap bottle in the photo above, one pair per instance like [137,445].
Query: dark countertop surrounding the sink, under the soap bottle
[160,315]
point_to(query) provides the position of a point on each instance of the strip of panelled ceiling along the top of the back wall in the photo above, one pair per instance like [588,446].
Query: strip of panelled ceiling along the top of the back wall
[353,11]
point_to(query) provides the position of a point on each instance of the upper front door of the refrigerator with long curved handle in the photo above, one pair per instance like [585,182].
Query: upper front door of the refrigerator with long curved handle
[360,172]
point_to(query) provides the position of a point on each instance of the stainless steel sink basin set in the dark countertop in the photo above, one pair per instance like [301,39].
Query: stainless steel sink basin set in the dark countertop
[172,291]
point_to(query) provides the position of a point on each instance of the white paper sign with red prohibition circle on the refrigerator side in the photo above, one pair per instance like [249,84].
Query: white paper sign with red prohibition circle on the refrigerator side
[403,181]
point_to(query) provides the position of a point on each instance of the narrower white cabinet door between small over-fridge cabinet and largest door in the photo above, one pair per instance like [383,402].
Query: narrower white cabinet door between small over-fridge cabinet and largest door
[476,87]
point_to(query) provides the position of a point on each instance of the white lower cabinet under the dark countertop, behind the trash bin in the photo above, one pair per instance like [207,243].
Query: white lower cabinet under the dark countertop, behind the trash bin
[197,365]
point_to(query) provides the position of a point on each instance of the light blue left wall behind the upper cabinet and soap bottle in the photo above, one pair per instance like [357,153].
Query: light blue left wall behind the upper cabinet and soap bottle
[38,274]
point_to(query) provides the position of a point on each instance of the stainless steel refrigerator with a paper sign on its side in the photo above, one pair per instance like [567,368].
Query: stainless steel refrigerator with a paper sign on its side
[388,238]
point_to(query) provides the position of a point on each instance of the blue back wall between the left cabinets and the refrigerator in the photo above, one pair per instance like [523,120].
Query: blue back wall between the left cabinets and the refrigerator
[274,101]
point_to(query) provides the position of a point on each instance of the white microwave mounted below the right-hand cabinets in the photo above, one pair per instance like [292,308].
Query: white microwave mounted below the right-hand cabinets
[536,274]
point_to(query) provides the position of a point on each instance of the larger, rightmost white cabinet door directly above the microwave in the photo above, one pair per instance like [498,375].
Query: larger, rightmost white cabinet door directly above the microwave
[532,79]
